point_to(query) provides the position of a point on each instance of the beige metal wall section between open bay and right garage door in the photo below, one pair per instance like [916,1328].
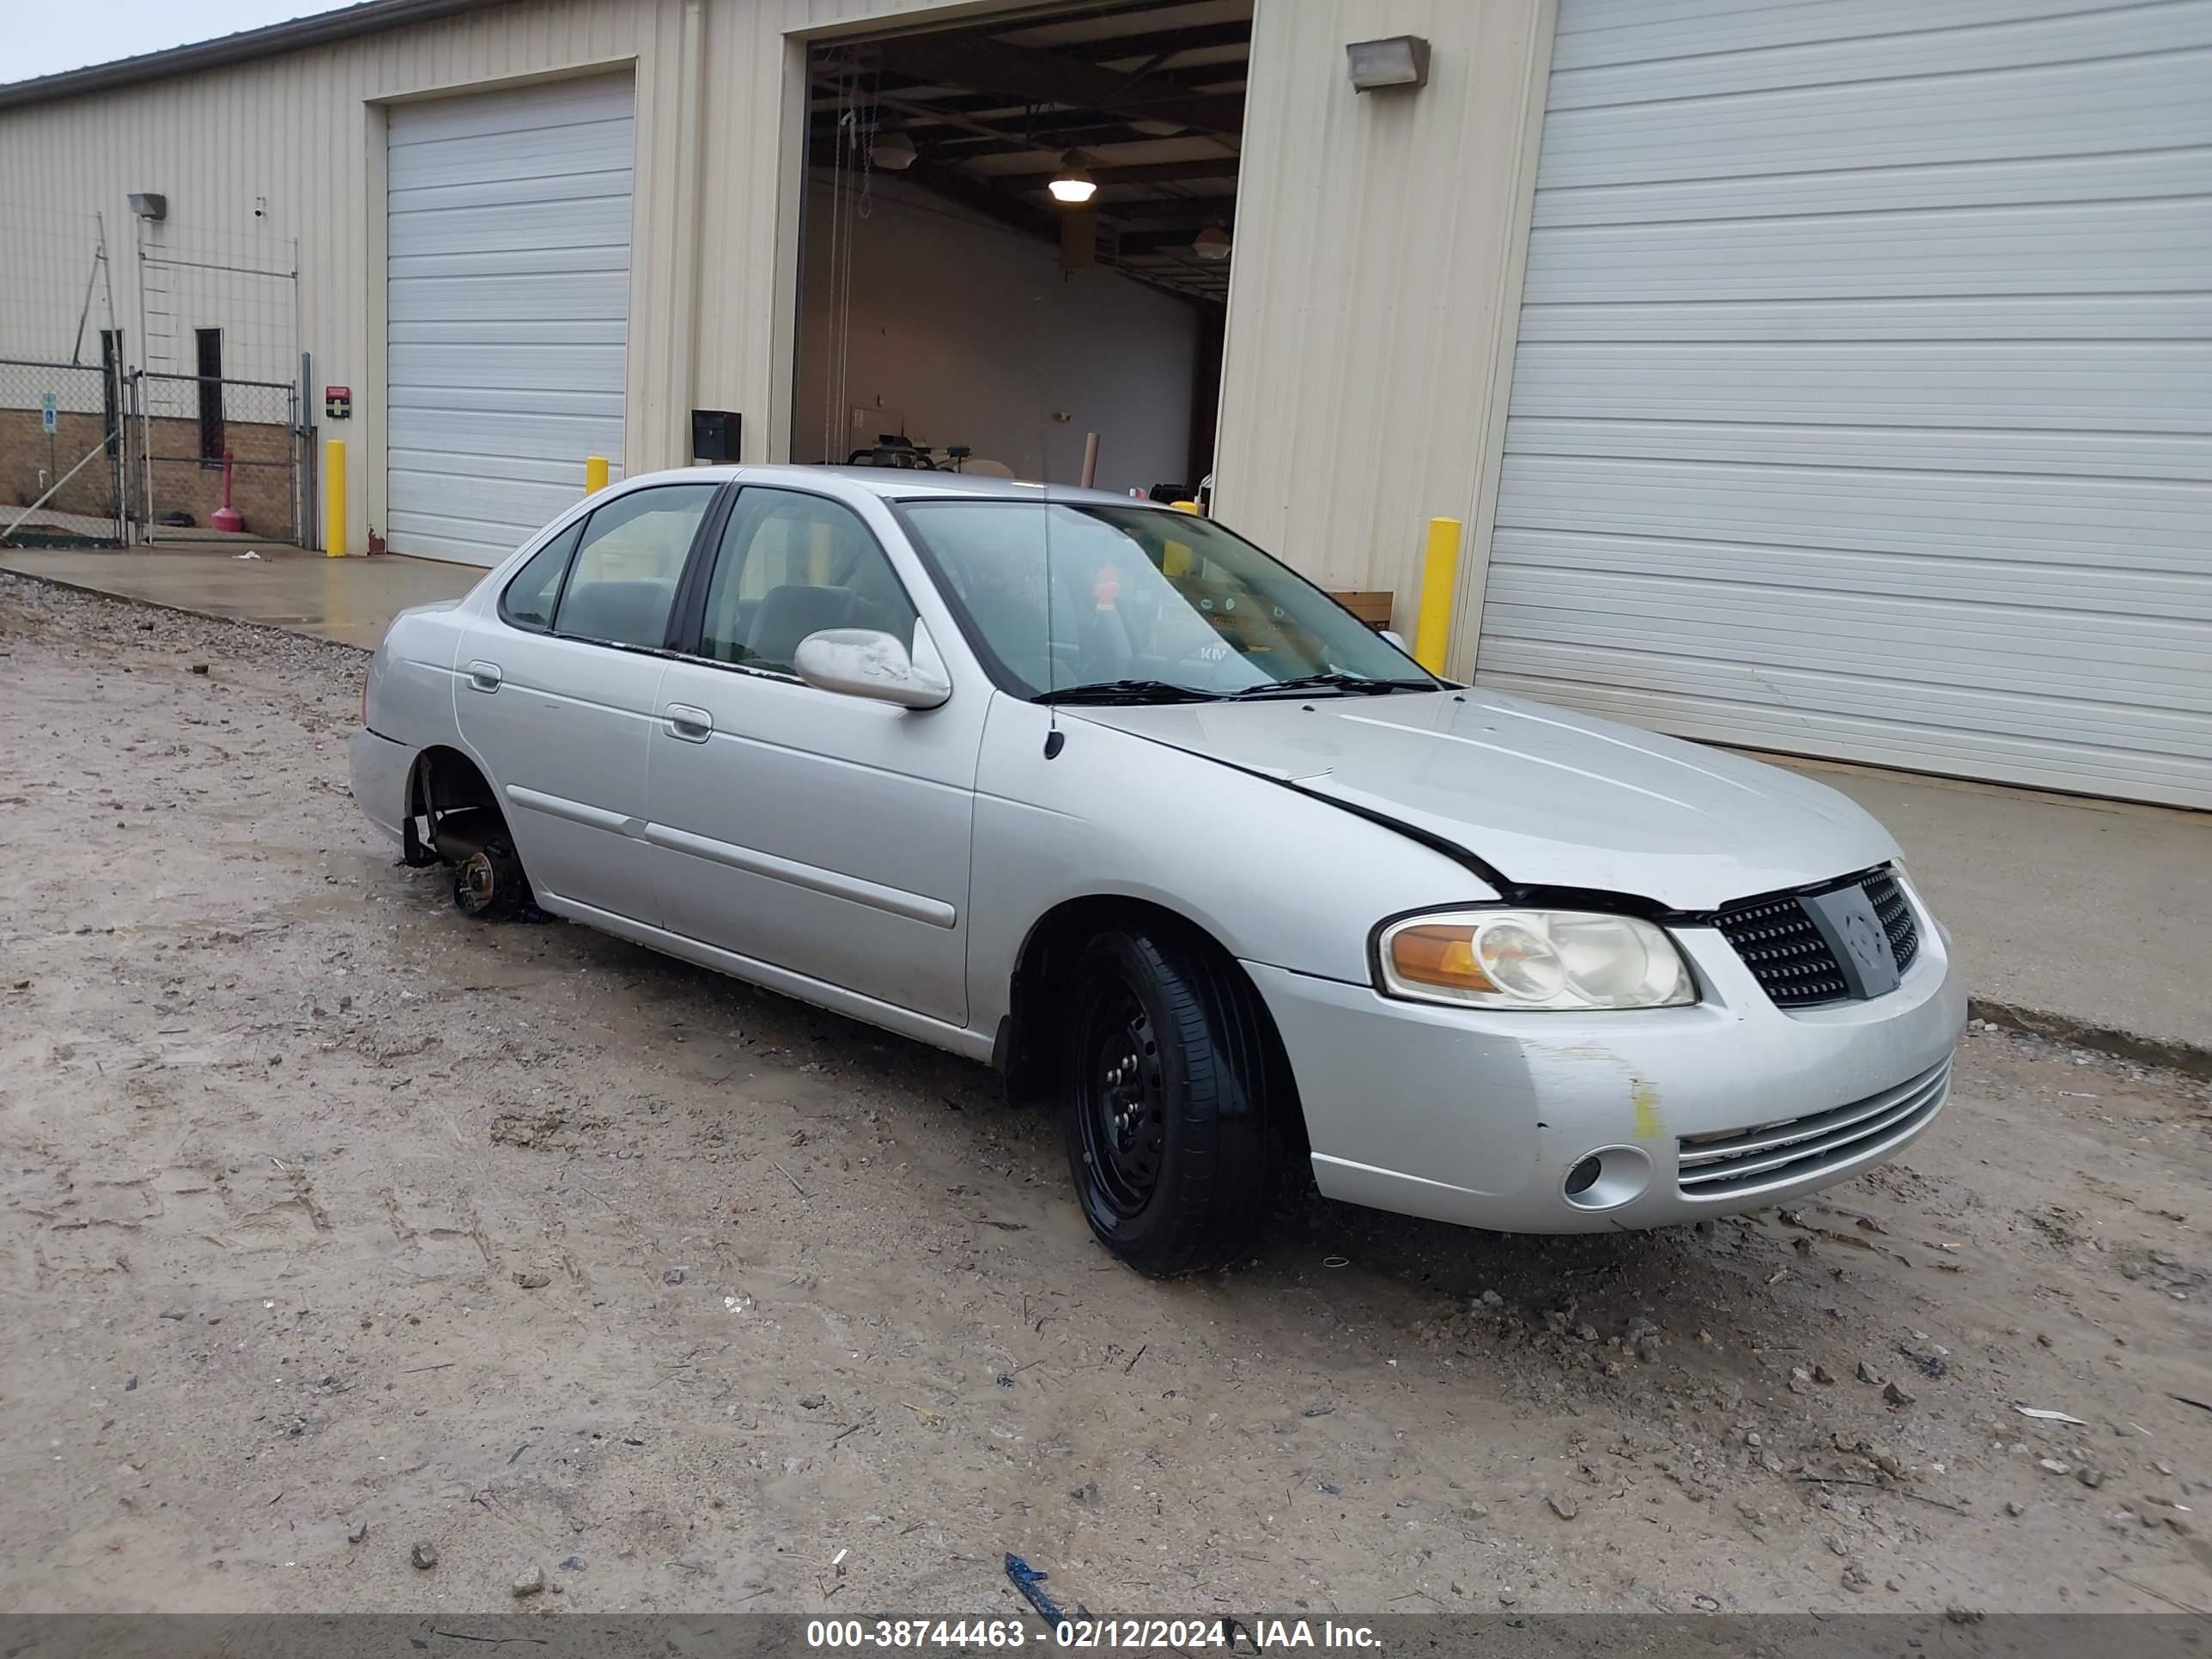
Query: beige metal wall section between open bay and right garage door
[1373,278]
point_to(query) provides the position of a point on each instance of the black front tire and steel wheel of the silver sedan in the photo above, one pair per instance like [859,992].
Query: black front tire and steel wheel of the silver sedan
[1169,1078]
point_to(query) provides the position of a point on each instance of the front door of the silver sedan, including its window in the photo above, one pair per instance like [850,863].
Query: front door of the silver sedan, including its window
[820,833]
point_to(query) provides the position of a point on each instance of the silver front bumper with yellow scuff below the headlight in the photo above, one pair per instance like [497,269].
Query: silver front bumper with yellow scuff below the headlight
[1477,1116]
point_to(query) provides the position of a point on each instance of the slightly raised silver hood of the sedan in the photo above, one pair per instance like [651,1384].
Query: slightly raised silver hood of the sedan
[1543,797]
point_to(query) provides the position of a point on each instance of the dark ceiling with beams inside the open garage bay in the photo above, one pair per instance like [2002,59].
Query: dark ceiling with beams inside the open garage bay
[1149,96]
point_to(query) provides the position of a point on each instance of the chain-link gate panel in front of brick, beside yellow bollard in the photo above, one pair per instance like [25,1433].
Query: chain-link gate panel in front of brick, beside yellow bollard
[207,444]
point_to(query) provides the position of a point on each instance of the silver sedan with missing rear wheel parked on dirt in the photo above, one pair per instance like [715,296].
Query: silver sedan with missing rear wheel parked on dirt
[1103,795]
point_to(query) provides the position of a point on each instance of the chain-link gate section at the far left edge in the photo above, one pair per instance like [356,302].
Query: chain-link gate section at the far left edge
[63,452]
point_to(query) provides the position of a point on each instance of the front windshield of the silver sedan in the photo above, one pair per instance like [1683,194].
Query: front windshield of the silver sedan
[1089,603]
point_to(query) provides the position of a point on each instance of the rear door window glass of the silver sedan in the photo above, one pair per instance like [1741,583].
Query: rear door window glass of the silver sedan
[612,576]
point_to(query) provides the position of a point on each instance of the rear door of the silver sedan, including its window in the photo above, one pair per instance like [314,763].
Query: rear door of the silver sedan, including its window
[556,696]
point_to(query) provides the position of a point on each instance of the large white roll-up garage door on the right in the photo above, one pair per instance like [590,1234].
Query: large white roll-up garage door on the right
[1864,395]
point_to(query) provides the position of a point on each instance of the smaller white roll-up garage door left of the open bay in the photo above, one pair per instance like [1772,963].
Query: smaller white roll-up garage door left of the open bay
[508,311]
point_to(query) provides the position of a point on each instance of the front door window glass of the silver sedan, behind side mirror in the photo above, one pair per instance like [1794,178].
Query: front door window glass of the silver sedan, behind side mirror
[793,565]
